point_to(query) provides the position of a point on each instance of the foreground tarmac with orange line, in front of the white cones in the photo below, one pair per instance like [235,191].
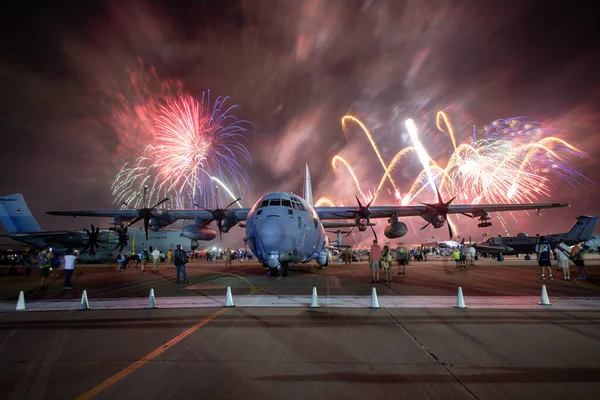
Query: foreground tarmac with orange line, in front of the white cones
[247,353]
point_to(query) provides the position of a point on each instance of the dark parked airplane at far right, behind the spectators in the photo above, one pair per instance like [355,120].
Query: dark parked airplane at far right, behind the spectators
[581,231]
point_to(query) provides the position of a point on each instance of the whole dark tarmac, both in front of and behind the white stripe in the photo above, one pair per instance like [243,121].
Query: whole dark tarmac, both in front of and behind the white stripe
[302,353]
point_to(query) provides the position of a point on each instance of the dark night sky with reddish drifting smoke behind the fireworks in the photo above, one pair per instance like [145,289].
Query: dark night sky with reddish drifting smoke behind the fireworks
[295,68]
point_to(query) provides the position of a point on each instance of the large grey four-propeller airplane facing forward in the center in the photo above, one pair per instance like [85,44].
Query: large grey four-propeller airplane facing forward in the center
[283,228]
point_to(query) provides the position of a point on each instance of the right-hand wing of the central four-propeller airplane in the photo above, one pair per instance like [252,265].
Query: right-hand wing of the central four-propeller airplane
[475,210]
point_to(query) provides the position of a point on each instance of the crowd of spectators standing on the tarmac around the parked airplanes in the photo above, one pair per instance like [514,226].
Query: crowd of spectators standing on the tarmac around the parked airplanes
[380,259]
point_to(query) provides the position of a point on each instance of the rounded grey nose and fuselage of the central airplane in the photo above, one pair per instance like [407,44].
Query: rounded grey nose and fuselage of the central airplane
[283,228]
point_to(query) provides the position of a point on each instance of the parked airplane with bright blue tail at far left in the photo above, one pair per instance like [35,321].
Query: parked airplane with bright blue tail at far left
[95,244]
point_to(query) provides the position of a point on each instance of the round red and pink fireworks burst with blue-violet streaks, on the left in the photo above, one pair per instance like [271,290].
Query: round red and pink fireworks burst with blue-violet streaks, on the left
[193,143]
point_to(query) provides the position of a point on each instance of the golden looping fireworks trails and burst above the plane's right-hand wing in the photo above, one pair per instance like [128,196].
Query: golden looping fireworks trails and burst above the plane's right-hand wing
[513,161]
